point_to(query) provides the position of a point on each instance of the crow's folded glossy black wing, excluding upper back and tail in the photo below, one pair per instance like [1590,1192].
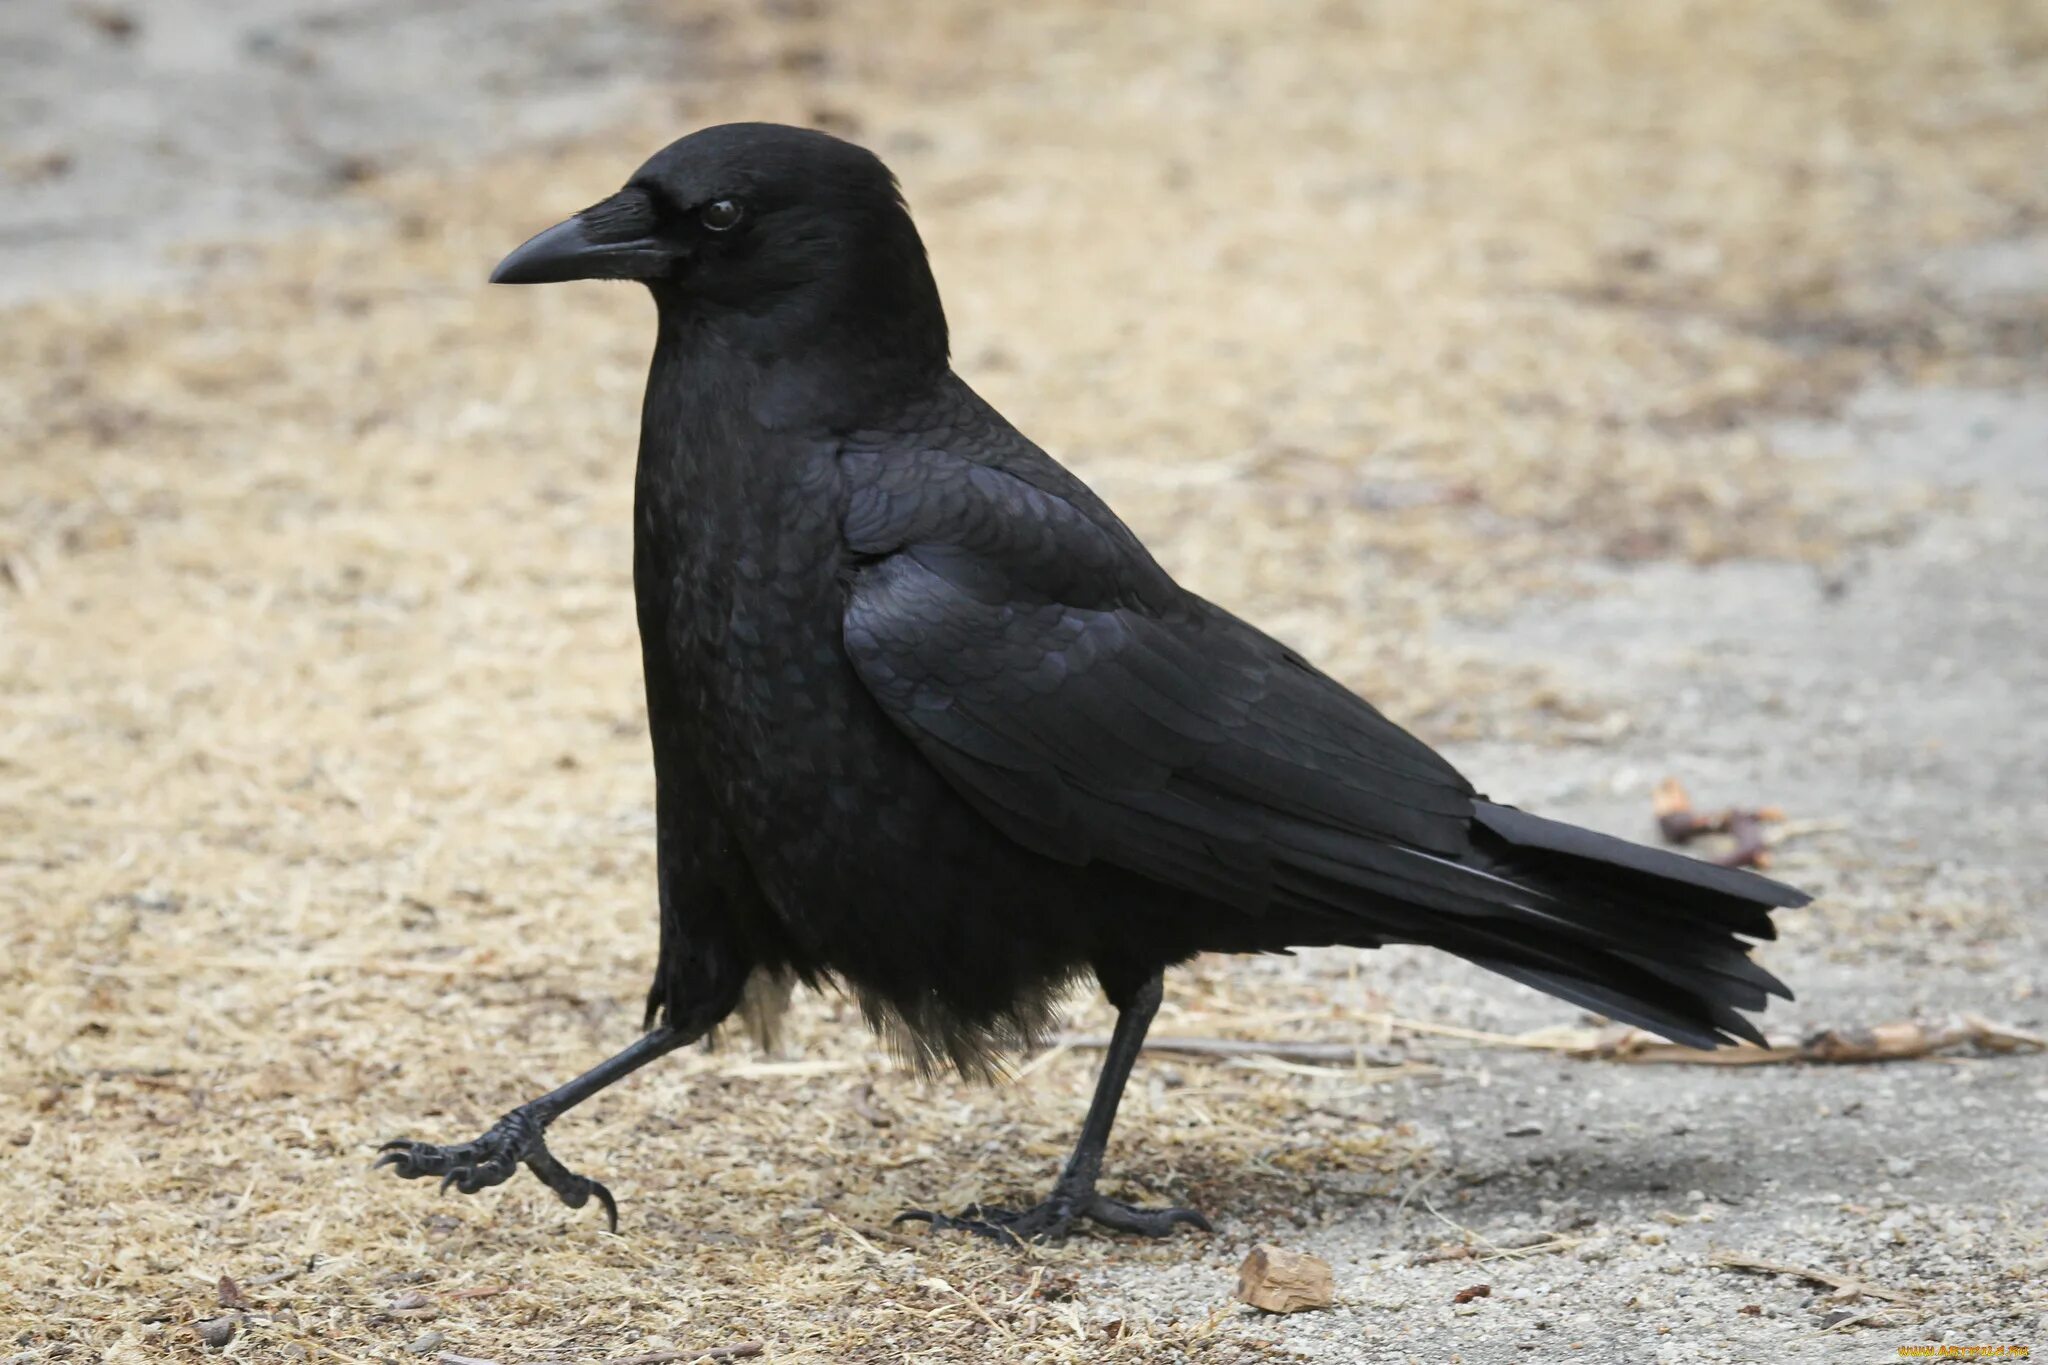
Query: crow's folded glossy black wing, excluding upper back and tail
[1185,748]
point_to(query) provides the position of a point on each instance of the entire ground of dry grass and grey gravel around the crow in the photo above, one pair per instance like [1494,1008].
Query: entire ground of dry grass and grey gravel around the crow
[1609,392]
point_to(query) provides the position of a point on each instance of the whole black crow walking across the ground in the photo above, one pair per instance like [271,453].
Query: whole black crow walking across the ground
[931,723]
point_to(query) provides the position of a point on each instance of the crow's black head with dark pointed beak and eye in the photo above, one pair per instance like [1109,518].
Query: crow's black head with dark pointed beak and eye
[771,234]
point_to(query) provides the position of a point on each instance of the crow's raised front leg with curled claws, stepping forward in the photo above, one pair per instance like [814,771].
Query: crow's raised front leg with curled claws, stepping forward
[519,1139]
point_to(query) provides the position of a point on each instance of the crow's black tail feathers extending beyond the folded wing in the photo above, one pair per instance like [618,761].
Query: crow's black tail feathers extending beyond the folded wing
[1637,934]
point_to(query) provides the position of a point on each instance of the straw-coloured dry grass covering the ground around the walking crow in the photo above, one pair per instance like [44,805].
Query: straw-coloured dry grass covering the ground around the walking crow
[325,807]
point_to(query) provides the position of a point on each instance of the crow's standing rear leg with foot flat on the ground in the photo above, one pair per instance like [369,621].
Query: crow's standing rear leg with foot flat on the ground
[1074,1196]
